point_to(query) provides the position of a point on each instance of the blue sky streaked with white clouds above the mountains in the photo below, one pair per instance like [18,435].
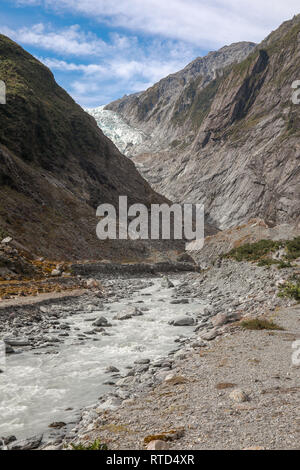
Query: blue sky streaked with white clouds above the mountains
[100,50]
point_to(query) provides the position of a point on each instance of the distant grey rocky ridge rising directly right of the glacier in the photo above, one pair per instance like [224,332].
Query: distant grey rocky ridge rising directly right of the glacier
[160,112]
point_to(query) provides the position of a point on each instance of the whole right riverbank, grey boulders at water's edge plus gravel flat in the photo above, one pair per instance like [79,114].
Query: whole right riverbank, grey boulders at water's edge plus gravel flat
[184,400]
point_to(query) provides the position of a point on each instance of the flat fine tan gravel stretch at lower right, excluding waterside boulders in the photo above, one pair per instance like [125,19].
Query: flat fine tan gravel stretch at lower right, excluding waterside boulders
[257,362]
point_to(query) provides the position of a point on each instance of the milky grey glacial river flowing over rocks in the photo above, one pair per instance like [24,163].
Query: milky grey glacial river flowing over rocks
[36,390]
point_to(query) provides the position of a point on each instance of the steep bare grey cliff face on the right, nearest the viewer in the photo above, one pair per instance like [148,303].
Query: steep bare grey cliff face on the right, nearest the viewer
[239,148]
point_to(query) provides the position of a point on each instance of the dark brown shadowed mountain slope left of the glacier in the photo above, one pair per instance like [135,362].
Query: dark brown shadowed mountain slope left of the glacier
[56,166]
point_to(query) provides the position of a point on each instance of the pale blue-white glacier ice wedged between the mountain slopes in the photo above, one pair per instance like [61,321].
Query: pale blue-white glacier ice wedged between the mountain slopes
[124,136]
